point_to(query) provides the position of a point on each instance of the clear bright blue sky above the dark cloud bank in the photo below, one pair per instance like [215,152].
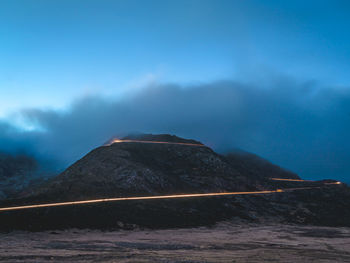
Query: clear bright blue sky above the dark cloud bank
[55,51]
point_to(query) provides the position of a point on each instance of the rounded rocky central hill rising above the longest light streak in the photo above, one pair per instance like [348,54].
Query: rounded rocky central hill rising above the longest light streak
[136,168]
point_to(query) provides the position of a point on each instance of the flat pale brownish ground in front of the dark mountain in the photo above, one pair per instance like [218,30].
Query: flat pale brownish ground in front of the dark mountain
[223,243]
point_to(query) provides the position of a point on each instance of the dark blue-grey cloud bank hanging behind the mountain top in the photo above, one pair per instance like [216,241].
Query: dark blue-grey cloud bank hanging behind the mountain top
[304,127]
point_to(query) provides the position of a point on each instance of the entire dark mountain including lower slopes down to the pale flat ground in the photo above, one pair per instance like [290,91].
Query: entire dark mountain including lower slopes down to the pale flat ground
[149,165]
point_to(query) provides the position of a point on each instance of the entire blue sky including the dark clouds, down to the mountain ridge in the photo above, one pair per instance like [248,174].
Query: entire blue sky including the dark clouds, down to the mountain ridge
[270,77]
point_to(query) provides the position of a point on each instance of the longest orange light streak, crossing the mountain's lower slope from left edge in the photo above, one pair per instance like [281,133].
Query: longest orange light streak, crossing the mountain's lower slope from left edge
[147,198]
